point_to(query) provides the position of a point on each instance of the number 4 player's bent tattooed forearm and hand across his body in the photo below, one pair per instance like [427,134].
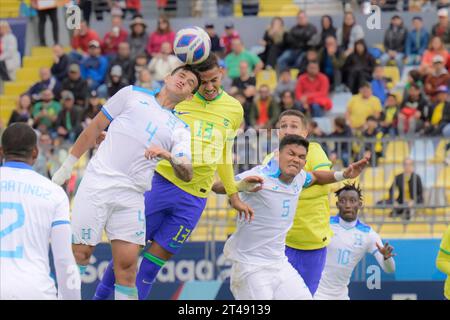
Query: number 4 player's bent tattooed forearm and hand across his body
[181,165]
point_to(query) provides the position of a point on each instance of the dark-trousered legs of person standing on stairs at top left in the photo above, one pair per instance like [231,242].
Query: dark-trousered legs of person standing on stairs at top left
[46,8]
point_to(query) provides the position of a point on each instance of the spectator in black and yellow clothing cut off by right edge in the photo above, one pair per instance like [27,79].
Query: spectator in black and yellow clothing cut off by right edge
[440,118]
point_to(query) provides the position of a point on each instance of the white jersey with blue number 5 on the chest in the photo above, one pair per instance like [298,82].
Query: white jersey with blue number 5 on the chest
[262,242]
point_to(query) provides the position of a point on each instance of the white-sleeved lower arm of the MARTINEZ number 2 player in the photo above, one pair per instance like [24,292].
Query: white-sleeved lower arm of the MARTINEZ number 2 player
[67,272]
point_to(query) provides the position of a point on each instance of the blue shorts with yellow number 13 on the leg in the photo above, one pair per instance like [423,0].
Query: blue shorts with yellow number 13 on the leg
[171,214]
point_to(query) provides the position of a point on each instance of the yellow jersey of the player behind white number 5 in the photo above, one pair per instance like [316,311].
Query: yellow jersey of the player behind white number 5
[311,228]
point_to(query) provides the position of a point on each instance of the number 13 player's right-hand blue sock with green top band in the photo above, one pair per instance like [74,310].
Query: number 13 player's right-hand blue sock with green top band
[148,271]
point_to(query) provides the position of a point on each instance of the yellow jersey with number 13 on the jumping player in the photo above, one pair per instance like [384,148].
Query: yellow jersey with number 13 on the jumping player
[214,126]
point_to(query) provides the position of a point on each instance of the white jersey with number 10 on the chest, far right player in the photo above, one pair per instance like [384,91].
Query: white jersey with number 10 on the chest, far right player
[349,244]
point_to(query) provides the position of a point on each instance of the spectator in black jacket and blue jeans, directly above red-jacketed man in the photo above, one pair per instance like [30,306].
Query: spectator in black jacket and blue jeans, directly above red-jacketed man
[299,40]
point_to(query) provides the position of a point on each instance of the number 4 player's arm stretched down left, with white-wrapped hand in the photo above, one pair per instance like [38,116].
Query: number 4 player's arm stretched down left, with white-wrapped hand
[86,140]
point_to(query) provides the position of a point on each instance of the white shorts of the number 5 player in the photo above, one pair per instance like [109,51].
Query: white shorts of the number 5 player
[275,282]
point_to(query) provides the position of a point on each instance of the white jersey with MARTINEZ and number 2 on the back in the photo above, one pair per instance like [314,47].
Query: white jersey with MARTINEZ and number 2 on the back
[30,206]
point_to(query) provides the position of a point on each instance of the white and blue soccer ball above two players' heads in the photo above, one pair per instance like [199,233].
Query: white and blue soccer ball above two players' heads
[192,45]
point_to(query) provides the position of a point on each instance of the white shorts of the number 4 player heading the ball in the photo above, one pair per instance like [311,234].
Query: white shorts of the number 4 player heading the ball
[102,204]
